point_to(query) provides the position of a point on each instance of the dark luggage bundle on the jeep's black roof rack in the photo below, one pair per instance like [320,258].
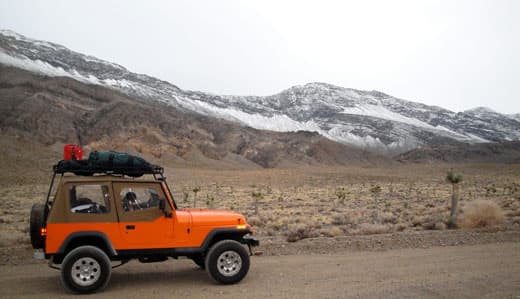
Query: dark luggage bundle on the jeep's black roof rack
[108,163]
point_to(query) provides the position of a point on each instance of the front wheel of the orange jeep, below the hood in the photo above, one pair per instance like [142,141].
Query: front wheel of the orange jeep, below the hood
[227,262]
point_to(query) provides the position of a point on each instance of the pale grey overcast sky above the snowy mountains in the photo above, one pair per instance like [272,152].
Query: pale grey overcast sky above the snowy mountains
[454,54]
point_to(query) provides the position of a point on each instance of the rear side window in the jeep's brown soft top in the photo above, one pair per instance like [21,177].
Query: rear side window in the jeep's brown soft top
[93,199]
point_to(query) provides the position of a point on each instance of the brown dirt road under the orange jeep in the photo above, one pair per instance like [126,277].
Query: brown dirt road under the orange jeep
[469,271]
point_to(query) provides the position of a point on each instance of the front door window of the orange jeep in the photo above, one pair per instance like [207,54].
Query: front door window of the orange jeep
[139,198]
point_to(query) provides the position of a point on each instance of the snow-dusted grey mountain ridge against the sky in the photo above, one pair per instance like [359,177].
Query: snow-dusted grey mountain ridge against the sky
[368,119]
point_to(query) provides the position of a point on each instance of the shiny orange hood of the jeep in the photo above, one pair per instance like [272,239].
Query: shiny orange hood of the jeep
[205,217]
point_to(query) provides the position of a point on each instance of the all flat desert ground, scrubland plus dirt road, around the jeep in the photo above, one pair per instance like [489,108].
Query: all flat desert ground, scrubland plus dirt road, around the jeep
[360,231]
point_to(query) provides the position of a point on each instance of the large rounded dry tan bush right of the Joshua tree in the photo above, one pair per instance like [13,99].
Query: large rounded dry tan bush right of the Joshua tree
[482,213]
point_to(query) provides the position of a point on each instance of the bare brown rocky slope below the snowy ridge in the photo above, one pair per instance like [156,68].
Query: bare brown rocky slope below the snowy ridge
[57,110]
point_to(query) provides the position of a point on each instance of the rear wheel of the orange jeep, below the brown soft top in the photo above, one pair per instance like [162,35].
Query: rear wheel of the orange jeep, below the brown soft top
[86,269]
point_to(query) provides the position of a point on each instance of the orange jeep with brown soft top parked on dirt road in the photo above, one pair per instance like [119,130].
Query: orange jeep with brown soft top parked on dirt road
[105,218]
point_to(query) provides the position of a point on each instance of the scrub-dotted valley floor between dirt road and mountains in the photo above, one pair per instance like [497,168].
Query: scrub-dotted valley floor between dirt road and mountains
[292,204]
